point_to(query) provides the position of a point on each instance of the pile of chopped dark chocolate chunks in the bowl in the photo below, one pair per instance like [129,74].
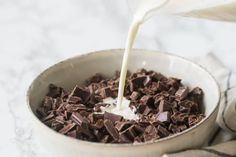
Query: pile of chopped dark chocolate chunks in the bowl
[164,107]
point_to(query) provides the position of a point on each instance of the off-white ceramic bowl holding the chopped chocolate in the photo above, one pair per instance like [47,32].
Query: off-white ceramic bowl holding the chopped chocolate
[76,70]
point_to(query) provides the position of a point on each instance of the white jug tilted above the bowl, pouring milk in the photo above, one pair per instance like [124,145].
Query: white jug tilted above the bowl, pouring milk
[221,10]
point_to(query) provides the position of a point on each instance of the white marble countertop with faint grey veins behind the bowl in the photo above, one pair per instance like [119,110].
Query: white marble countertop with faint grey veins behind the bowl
[35,34]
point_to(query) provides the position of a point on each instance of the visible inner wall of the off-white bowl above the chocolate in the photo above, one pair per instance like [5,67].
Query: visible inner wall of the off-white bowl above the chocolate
[76,70]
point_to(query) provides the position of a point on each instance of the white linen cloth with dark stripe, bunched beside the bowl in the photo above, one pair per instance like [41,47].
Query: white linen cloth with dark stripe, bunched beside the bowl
[223,142]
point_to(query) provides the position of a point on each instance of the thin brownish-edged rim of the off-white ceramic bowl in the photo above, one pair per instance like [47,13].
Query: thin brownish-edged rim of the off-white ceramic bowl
[120,50]
